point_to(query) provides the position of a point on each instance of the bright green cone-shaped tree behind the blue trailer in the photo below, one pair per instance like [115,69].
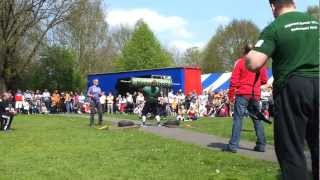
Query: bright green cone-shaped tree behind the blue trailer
[143,51]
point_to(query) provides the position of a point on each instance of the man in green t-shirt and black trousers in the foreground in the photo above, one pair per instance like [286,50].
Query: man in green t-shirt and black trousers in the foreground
[292,41]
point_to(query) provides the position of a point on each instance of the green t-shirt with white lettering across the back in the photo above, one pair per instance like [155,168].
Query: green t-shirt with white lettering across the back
[292,41]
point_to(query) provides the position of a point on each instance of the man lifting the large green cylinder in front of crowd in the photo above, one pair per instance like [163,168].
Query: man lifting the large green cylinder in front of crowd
[151,94]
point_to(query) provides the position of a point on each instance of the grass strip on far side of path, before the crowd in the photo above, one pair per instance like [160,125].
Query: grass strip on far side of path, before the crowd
[217,126]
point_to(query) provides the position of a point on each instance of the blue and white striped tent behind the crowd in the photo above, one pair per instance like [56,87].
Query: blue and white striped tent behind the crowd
[221,81]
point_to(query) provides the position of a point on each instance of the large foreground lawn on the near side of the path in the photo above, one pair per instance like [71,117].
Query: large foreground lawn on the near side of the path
[55,147]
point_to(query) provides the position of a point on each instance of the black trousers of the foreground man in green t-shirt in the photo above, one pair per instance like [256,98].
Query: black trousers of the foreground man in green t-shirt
[296,119]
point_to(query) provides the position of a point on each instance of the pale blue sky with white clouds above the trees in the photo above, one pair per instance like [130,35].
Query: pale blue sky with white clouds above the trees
[187,23]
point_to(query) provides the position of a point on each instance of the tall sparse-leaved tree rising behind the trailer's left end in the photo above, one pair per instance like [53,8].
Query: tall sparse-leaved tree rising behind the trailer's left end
[87,33]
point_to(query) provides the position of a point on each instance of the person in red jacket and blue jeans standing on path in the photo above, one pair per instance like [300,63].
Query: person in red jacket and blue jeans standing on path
[244,92]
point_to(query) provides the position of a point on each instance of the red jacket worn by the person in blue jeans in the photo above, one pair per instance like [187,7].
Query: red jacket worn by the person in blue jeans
[242,81]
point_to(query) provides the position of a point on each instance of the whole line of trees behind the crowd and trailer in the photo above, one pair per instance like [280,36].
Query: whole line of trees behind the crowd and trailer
[55,44]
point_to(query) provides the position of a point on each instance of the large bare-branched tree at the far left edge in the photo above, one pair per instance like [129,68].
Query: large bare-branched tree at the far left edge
[25,23]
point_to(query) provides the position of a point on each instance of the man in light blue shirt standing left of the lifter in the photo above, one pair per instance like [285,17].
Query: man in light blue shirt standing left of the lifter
[94,93]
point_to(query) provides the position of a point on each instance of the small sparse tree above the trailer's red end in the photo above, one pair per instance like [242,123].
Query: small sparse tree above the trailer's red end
[192,57]
